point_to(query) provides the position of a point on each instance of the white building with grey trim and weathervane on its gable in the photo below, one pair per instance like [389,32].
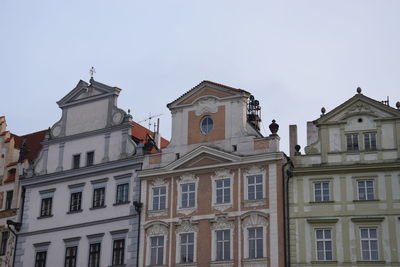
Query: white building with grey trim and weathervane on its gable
[77,197]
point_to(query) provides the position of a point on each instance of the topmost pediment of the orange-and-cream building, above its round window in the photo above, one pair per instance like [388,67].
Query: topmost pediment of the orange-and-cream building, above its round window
[207,89]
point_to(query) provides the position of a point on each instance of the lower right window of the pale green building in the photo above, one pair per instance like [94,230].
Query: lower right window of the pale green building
[369,244]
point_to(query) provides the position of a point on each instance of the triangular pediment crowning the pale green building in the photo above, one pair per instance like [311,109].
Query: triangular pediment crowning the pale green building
[356,106]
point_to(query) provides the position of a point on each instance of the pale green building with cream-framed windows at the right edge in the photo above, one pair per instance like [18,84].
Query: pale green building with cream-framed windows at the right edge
[344,196]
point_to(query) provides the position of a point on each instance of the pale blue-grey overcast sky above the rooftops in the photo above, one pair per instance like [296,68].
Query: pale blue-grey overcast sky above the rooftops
[293,56]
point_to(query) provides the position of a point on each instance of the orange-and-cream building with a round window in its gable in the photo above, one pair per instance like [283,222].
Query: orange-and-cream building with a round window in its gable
[214,196]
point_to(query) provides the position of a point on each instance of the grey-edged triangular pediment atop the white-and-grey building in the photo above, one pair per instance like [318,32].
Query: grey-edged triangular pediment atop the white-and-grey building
[84,91]
